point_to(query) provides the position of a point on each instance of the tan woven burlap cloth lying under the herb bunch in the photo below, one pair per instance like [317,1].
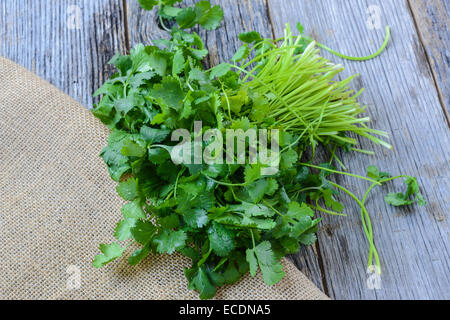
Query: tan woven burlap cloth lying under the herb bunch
[57,203]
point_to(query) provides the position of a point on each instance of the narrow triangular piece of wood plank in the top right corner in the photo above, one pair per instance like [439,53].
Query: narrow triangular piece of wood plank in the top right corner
[432,20]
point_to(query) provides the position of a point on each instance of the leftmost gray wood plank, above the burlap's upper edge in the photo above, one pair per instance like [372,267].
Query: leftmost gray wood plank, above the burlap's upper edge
[65,42]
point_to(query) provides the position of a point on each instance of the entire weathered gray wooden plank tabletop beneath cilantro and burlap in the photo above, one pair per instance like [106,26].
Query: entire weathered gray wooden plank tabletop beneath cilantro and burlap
[68,42]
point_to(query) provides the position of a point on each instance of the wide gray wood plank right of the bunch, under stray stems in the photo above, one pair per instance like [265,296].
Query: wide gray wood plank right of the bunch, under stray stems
[402,99]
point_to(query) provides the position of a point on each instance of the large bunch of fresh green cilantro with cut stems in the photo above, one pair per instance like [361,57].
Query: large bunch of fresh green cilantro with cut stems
[229,219]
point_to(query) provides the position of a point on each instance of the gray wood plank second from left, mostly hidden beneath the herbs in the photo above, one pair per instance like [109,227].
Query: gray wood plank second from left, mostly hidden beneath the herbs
[239,16]
